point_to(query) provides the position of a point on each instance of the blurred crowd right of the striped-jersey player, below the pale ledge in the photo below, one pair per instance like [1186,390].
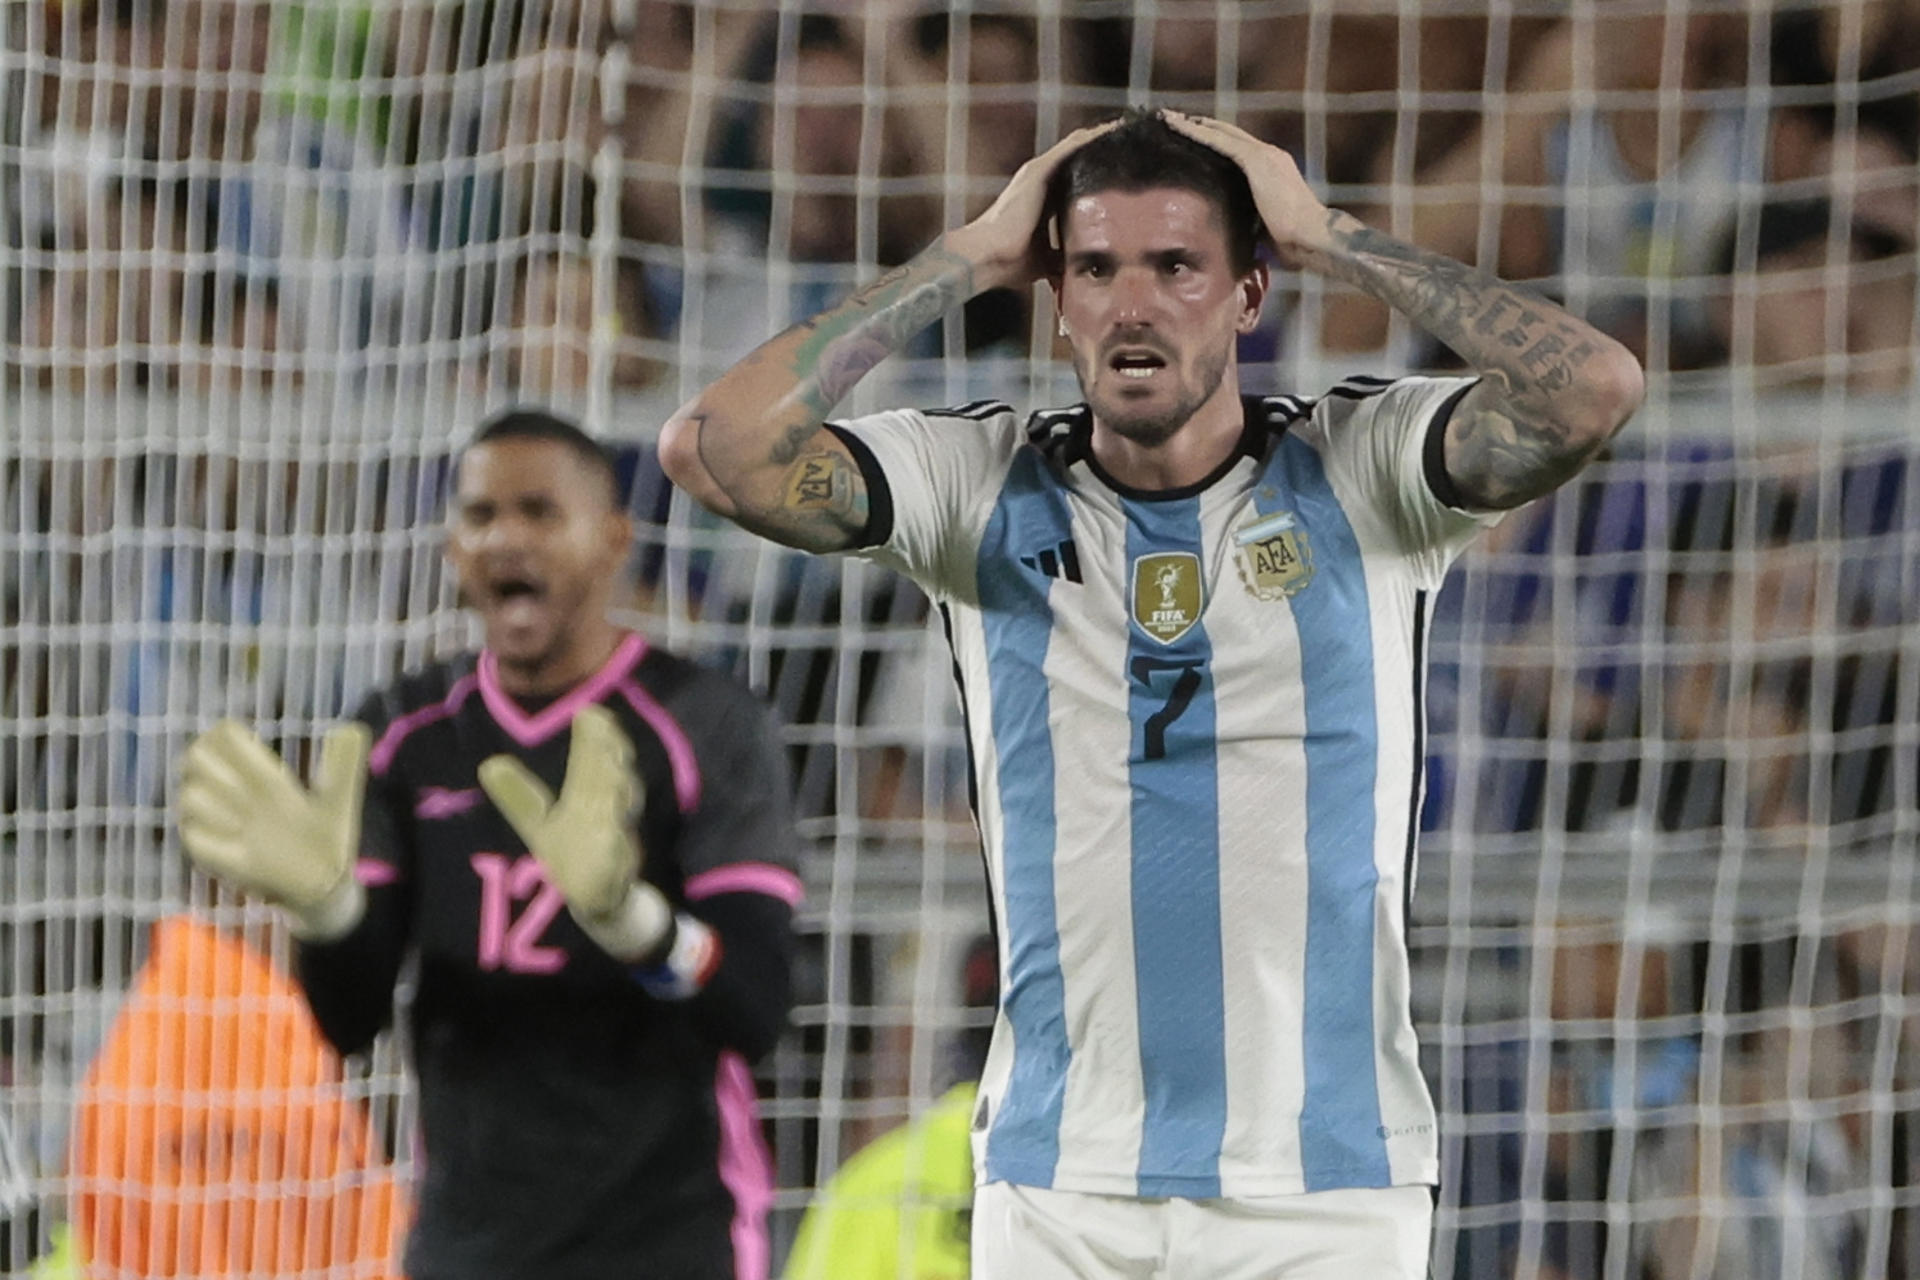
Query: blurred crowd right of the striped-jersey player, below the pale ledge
[1687,746]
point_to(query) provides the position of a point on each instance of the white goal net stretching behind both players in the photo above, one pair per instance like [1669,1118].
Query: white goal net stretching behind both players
[264,266]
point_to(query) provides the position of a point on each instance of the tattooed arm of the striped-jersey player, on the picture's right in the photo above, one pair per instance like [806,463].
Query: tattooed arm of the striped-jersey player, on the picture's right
[1552,389]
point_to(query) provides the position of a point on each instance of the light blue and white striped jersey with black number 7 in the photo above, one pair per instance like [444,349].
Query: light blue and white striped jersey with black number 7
[1197,732]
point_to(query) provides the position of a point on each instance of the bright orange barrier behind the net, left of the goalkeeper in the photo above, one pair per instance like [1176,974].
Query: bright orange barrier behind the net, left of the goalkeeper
[214,1133]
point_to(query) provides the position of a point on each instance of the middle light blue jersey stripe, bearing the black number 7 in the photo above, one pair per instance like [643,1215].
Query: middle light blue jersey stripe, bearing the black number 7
[1176,884]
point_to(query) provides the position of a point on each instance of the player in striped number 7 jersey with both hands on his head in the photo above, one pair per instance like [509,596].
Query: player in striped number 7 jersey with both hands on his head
[1189,630]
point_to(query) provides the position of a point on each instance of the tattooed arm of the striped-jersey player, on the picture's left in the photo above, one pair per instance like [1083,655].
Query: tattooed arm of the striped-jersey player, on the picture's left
[754,444]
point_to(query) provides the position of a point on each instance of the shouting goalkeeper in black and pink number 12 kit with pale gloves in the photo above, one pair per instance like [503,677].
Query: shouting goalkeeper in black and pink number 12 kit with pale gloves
[585,845]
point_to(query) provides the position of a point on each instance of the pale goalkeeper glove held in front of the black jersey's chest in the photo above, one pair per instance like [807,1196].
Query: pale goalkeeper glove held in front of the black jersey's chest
[585,840]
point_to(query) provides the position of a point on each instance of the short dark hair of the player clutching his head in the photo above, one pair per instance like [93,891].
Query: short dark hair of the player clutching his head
[1145,153]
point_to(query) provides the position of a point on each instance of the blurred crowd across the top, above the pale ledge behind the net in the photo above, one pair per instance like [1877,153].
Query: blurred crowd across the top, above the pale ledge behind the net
[540,195]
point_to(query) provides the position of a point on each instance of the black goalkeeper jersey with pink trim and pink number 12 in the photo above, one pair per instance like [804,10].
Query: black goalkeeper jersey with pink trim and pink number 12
[573,1126]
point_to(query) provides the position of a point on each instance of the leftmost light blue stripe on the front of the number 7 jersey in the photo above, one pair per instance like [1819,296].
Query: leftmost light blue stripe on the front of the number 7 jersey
[1024,1145]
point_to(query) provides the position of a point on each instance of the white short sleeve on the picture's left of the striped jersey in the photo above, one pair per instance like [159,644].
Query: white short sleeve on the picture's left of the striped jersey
[938,477]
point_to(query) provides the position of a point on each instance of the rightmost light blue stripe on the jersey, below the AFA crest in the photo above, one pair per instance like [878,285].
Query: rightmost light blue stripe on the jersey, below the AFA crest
[1341,1139]
